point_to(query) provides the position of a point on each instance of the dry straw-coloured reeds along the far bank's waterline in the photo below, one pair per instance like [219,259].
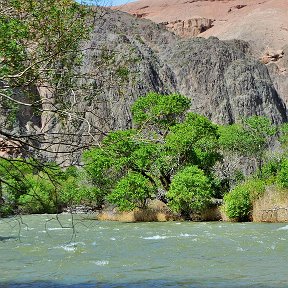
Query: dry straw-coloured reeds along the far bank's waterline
[272,207]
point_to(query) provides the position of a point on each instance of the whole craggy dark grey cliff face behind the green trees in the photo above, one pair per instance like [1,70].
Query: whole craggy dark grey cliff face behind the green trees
[128,57]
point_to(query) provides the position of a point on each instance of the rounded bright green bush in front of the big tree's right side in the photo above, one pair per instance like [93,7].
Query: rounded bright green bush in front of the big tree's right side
[190,191]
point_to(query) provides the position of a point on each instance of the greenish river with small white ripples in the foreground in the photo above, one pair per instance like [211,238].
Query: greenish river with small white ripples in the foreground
[38,251]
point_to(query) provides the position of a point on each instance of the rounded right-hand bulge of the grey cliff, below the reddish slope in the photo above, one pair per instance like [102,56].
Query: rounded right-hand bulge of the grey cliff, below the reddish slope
[224,83]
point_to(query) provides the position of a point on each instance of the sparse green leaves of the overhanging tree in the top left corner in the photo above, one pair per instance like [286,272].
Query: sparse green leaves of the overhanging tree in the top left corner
[40,39]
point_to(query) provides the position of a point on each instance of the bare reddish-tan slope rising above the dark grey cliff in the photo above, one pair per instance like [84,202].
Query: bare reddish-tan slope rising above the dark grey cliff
[263,24]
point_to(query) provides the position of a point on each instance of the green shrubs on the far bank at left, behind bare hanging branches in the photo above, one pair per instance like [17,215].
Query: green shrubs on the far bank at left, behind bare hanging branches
[31,187]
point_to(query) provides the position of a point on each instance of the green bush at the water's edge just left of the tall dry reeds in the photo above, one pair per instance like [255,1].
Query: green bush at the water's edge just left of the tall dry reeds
[239,202]
